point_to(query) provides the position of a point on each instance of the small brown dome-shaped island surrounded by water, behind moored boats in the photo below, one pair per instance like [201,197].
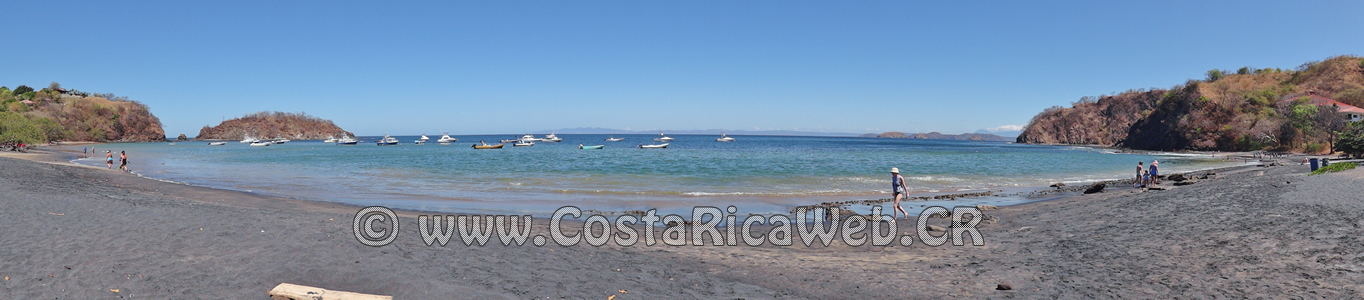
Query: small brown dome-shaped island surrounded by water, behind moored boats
[271,125]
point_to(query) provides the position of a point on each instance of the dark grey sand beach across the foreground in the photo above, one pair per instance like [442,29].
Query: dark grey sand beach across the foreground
[77,232]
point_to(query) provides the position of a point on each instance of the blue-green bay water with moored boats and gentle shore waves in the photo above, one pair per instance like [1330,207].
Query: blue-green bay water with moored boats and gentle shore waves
[763,174]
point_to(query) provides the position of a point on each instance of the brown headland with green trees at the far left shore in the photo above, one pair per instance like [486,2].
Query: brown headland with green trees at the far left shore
[58,114]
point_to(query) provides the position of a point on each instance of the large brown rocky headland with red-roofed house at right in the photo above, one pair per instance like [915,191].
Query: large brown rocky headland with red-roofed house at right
[1305,110]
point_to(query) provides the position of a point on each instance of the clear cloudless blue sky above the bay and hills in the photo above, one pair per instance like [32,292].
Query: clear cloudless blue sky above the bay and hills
[507,67]
